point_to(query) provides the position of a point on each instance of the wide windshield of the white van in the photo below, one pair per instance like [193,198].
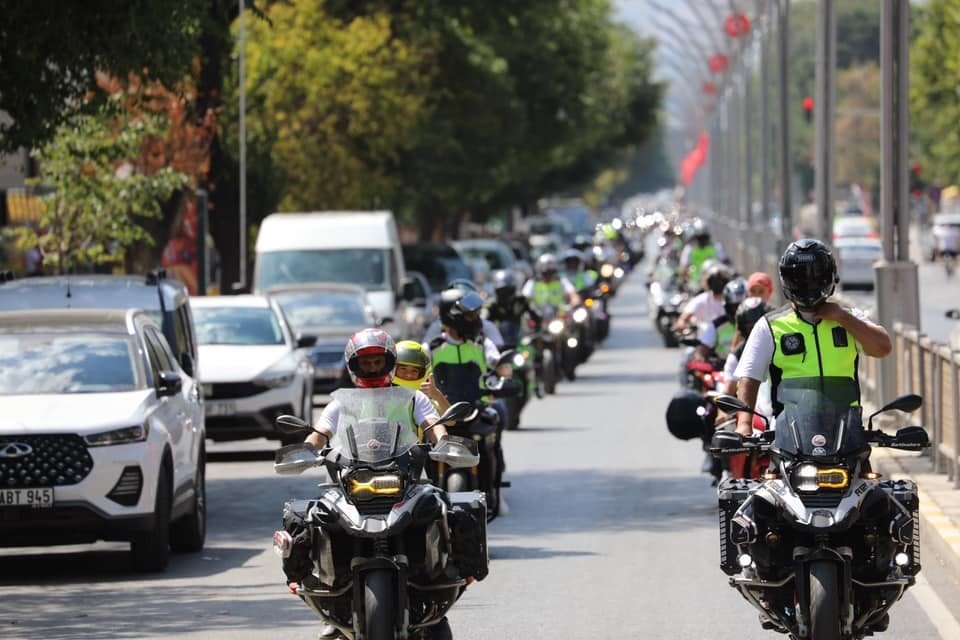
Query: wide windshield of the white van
[364,267]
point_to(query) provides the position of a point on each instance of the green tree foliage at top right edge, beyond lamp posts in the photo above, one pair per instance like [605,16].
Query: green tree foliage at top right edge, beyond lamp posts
[934,93]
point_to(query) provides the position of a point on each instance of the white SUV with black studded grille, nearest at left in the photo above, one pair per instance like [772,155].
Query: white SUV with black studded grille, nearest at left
[101,438]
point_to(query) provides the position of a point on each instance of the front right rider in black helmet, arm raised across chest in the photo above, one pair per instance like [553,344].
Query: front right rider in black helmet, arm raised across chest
[808,337]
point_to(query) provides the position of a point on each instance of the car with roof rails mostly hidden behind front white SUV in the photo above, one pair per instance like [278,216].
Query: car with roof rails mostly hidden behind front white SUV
[163,298]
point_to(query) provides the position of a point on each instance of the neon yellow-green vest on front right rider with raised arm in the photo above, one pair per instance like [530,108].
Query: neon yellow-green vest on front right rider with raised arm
[805,350]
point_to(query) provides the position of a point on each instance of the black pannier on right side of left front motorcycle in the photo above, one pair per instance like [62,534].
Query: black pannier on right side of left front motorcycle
[467,519]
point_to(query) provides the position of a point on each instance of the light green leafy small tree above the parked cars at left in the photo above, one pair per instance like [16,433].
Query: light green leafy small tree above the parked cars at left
[96,189]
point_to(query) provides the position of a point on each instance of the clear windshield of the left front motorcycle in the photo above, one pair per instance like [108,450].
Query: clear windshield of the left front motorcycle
[375,425]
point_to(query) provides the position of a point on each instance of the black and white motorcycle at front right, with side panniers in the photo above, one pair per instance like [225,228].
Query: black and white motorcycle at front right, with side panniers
[820,544]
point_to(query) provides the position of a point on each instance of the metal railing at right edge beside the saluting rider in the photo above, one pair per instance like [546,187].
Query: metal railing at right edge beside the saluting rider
[932,370]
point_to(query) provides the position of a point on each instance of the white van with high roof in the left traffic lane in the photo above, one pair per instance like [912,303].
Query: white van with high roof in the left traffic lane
[350,247]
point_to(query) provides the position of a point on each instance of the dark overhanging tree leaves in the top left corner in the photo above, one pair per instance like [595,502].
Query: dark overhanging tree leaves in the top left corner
[48,54]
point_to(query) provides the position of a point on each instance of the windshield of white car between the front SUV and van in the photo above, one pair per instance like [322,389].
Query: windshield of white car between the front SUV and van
[237,326]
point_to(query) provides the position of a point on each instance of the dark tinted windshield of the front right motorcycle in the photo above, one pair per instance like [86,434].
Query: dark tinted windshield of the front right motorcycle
[820,417]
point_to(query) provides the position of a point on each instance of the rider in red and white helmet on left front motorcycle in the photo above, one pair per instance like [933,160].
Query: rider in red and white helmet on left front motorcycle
[371,358]
